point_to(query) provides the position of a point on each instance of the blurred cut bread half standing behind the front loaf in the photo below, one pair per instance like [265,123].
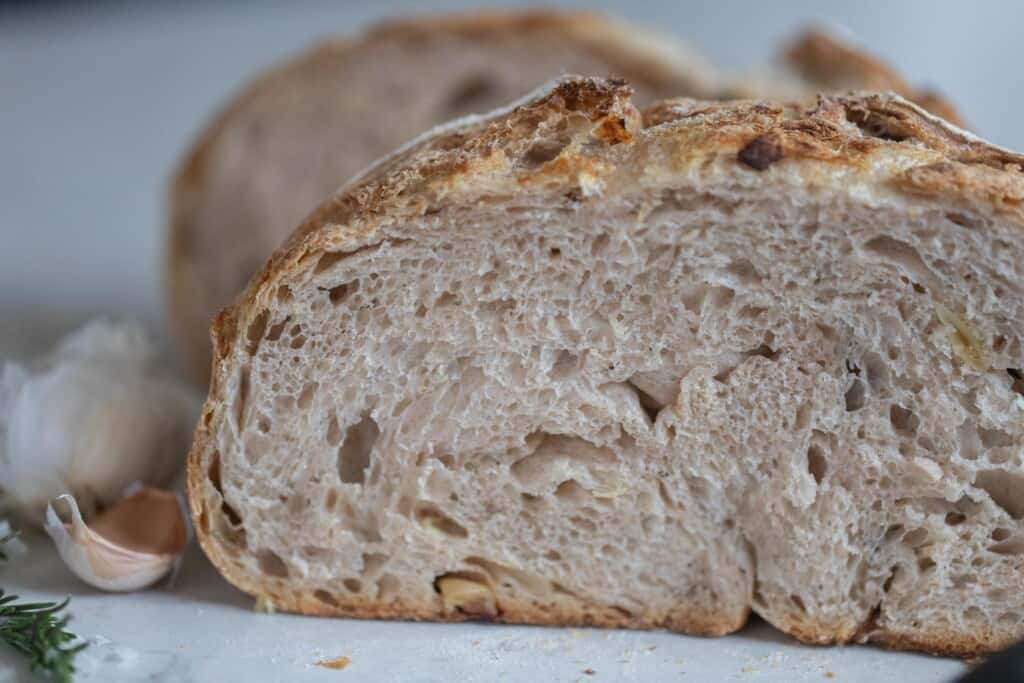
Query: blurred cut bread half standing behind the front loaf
[297,134]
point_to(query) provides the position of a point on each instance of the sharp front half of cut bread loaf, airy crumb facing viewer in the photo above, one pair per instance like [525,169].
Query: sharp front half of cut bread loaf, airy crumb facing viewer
[572,364]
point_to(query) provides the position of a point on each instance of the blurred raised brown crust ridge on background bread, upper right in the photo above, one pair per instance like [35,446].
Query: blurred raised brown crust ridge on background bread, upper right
[831,65]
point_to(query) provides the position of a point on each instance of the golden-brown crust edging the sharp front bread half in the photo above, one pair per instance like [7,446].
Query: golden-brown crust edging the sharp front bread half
[884,140]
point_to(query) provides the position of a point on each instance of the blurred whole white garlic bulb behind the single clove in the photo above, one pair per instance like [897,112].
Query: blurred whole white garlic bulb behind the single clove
[100,413]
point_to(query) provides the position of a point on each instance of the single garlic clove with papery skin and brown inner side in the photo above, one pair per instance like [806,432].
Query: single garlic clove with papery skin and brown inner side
[130,546]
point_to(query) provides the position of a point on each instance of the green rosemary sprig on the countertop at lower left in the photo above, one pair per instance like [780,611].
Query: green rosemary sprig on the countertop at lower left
[37,630]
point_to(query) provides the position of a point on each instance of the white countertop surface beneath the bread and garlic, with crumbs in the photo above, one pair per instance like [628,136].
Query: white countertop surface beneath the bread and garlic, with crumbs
[204,630]
